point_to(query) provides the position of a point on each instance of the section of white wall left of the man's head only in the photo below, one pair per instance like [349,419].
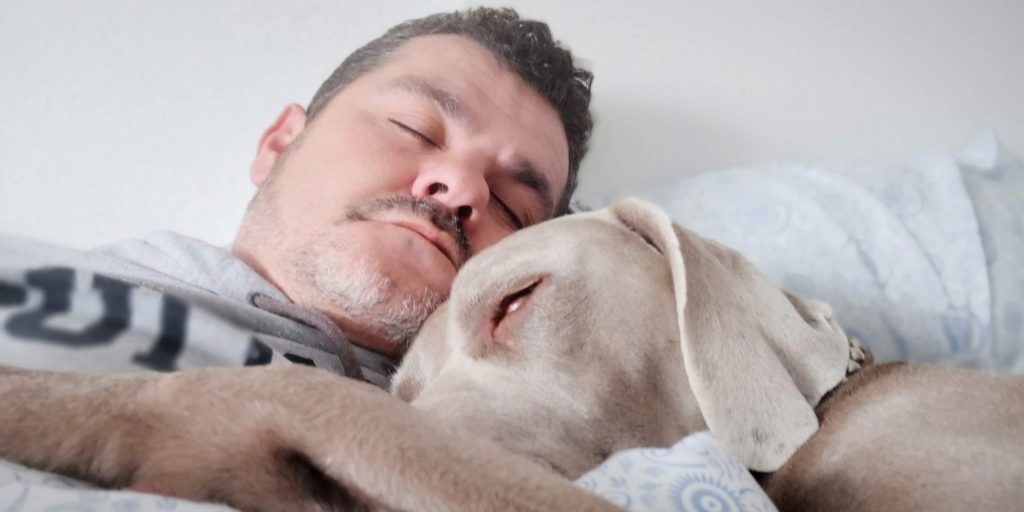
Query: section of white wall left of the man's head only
[119,117]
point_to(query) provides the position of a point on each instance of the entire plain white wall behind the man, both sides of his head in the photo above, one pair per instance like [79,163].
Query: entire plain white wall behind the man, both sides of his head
[118,117]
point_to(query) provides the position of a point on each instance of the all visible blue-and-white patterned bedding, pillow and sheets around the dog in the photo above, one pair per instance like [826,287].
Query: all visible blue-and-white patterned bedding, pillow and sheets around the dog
[922,262]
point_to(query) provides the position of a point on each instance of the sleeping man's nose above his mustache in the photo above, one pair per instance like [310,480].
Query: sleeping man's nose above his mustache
[459,186]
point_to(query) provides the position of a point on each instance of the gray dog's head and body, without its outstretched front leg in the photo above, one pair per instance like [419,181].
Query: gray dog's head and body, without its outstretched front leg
[607,331]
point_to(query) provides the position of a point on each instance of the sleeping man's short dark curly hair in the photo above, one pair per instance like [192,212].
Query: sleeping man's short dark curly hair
[525,47]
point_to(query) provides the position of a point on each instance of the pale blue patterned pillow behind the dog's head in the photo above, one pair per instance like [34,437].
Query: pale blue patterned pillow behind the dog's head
[921,262]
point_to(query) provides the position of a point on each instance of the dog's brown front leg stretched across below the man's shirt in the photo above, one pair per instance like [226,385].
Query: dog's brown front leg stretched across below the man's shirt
[279,438]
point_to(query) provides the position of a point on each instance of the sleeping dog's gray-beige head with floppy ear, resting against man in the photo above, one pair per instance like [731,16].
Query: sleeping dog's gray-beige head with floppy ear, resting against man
[617,329]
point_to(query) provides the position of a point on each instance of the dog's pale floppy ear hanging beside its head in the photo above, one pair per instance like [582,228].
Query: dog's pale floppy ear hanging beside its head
[757,359]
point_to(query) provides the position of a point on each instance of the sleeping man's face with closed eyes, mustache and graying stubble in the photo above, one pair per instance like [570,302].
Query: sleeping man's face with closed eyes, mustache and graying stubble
[367,212]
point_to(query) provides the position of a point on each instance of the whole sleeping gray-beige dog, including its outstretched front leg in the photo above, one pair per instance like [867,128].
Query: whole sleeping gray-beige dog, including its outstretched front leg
[561,346]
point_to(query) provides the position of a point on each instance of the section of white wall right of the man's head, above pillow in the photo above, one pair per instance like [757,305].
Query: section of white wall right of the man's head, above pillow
[688,86]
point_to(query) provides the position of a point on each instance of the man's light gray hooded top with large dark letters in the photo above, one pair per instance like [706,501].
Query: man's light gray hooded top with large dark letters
[164,303]
